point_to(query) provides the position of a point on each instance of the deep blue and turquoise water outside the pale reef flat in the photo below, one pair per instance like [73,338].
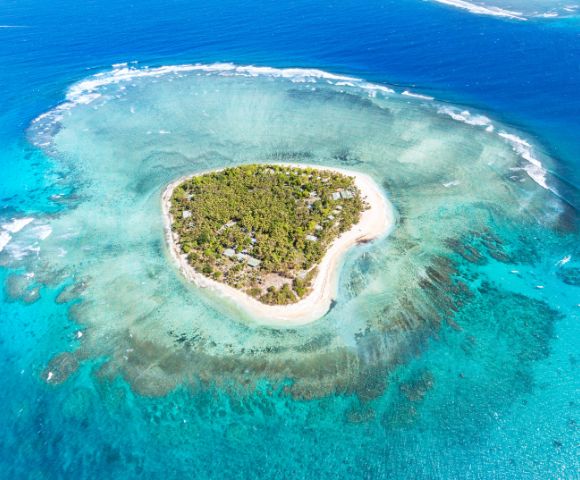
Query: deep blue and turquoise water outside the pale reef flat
[519,421]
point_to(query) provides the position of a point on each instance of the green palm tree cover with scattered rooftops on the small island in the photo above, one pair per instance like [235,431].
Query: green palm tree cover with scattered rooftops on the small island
[263,228]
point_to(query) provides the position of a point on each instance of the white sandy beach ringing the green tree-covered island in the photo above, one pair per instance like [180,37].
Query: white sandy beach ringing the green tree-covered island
[375,222]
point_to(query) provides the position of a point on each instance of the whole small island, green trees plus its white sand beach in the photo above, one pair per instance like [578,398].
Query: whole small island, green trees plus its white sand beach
[270,236]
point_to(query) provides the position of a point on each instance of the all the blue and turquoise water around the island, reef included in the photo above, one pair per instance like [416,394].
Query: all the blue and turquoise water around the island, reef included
[452,349]
